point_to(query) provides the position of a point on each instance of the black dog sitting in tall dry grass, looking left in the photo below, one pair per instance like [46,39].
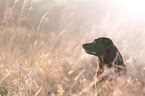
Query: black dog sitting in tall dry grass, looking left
[107,52]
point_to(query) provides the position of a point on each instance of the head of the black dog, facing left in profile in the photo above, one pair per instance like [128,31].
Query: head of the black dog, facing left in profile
[98,47]
